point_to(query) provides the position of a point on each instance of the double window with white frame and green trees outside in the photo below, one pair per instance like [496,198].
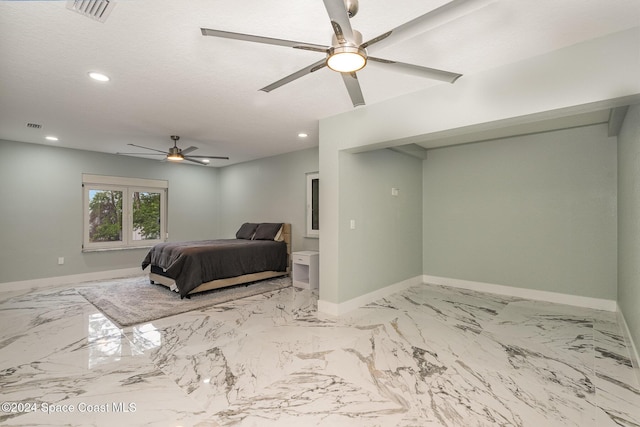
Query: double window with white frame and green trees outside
[123,212]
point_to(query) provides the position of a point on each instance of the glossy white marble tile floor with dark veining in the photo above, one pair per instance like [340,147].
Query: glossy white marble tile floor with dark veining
[427,356]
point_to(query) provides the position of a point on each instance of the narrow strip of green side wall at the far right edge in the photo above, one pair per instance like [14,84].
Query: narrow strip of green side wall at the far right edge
[629,221]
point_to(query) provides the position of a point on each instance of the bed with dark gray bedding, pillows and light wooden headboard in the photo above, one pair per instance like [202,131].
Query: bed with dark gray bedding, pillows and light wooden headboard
[259,251]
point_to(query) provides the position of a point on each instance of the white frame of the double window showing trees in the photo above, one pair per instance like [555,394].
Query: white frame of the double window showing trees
[128,186]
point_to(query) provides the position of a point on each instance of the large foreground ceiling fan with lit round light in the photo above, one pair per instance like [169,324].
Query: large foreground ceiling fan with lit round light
[348,54]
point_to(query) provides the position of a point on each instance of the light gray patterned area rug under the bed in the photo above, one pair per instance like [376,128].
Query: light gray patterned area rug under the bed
[132,301]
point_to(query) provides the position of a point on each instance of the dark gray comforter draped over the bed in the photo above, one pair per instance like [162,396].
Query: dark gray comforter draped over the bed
[193,263]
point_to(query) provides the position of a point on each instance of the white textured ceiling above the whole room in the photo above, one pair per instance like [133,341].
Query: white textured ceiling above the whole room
[166,78]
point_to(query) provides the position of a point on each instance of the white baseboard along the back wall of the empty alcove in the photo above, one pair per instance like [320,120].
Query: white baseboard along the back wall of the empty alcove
[555,297]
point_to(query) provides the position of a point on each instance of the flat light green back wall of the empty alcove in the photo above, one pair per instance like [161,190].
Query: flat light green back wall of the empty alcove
[536,212]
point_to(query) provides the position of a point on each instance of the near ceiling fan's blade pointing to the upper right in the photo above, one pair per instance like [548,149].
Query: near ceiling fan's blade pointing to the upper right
[435,18]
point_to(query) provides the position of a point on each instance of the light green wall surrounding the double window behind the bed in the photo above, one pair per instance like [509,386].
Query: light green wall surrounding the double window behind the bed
[41,208]
